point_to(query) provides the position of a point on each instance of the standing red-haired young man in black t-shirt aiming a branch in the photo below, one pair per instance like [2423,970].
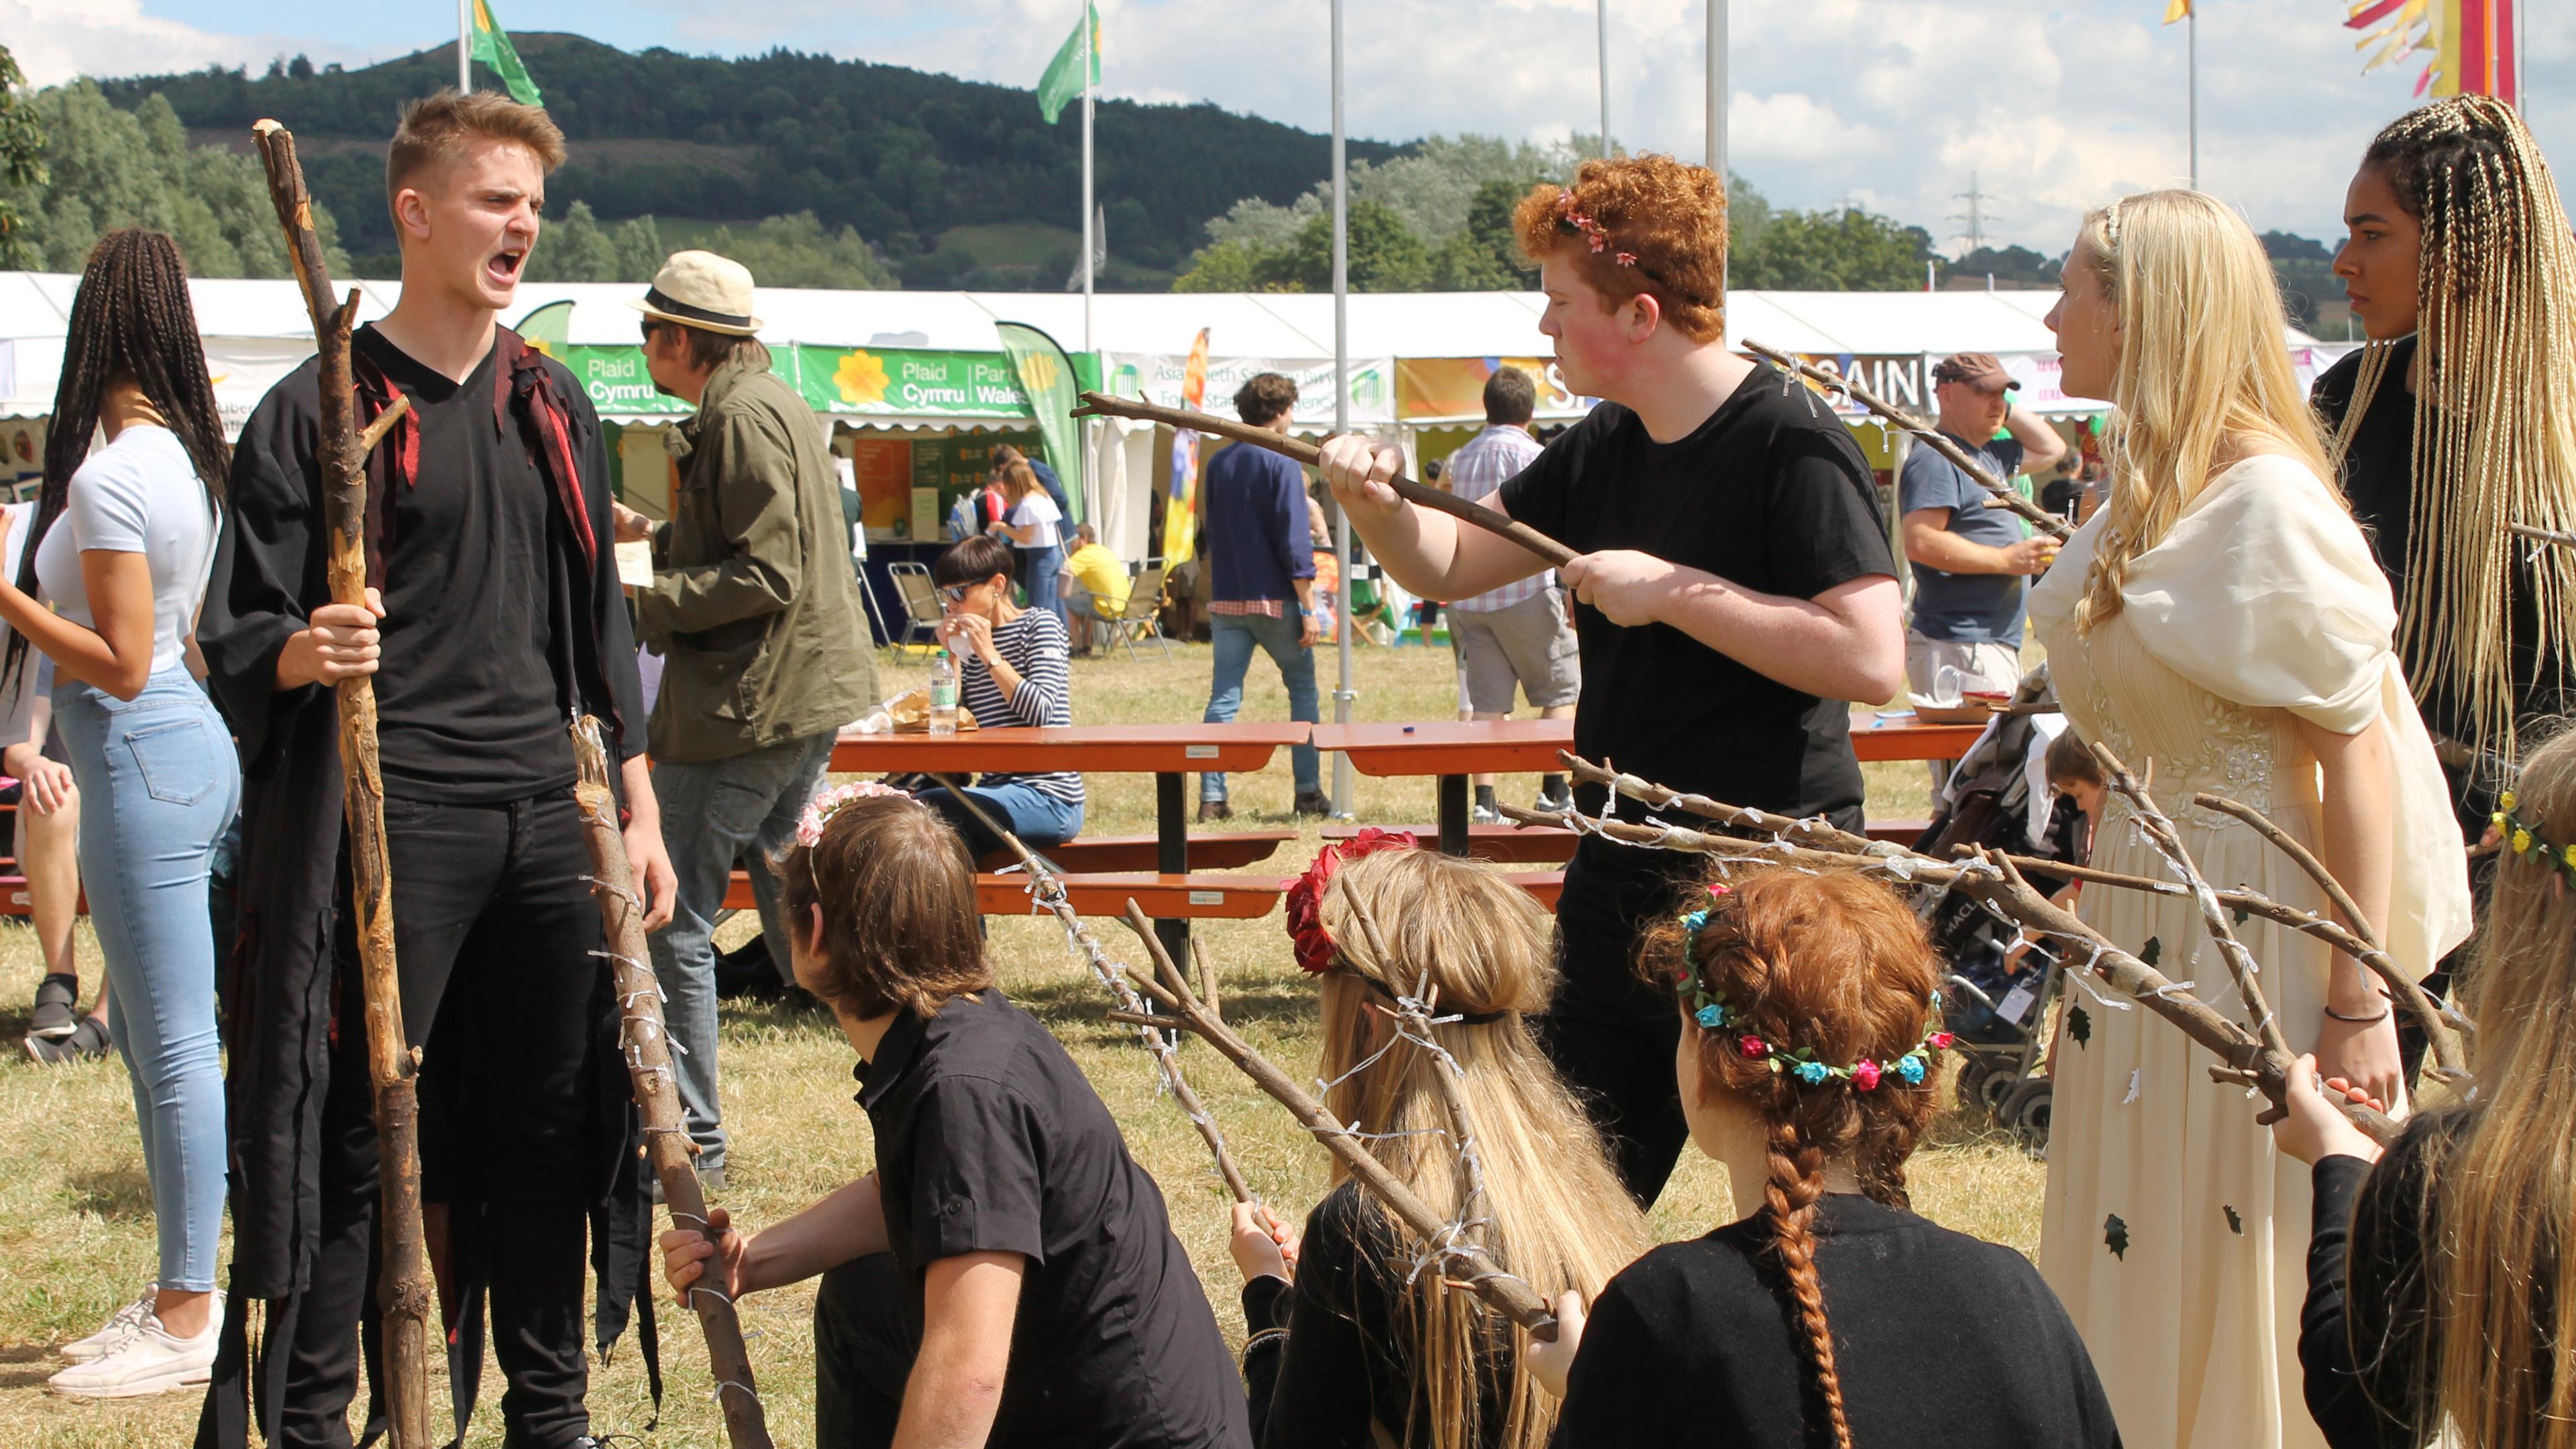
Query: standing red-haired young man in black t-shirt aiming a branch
[1735,587]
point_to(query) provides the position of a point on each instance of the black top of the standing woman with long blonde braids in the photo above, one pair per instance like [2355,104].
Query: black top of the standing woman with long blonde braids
[2379,483]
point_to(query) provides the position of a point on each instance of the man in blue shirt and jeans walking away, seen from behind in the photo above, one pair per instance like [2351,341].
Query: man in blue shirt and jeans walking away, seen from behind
[1261,569]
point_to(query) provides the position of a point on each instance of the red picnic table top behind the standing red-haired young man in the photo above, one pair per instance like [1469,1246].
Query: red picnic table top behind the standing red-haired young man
[1459,749]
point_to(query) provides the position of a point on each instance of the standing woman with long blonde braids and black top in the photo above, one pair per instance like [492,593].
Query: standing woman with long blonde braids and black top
[2461,416]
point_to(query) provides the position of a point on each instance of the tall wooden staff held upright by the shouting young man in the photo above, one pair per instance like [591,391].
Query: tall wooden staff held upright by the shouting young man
[403,1296]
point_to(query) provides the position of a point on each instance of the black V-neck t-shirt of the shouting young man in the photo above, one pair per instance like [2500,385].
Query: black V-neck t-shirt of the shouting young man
[468,705]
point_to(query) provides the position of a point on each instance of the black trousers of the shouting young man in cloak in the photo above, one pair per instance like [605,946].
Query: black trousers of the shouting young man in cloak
[493,935]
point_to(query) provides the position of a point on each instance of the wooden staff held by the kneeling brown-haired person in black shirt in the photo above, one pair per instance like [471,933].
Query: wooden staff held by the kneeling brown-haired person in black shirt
[645,1043]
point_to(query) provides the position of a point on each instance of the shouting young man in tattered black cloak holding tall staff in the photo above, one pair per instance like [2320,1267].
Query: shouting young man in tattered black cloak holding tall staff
[493,620]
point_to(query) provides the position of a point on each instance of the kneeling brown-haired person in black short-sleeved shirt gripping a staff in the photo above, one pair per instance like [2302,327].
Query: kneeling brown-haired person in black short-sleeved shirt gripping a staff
[1006,1275]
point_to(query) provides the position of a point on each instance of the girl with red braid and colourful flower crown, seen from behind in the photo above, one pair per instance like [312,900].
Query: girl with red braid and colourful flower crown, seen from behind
[1830,1314]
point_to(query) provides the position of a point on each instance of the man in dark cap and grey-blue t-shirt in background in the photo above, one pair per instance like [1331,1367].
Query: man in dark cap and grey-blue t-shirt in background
[1969,561]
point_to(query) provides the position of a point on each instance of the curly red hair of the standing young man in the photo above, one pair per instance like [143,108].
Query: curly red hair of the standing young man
[1671,218]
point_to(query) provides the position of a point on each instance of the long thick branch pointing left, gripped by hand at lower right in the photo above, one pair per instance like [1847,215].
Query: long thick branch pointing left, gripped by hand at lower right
[1995,880]
